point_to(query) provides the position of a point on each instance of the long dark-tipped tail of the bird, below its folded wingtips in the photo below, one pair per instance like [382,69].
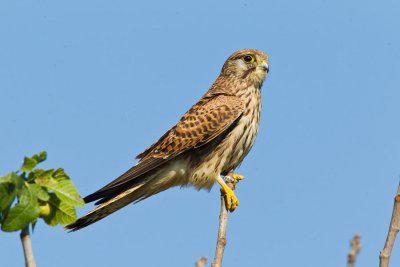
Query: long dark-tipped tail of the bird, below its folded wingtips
[147,187]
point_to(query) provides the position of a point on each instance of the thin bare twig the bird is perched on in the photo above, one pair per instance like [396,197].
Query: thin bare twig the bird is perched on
[223,221]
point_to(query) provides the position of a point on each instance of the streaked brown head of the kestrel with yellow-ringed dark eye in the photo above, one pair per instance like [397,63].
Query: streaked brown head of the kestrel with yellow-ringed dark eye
[247,64]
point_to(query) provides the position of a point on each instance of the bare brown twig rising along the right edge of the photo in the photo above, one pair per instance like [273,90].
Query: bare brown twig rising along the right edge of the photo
[393,230]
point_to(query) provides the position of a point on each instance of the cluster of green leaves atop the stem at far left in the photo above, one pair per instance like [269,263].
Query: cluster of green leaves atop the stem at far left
[31,193]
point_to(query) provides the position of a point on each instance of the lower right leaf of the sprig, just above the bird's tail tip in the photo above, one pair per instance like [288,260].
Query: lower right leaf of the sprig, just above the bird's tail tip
[60,212]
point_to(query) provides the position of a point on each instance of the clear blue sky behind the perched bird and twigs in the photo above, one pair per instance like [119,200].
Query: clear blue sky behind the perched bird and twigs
[95,82]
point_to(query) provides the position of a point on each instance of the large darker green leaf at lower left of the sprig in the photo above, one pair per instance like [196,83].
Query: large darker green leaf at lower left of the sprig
[24,212]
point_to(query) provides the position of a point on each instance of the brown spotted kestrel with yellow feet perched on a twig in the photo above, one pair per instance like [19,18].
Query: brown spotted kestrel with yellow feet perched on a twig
[208,142]
